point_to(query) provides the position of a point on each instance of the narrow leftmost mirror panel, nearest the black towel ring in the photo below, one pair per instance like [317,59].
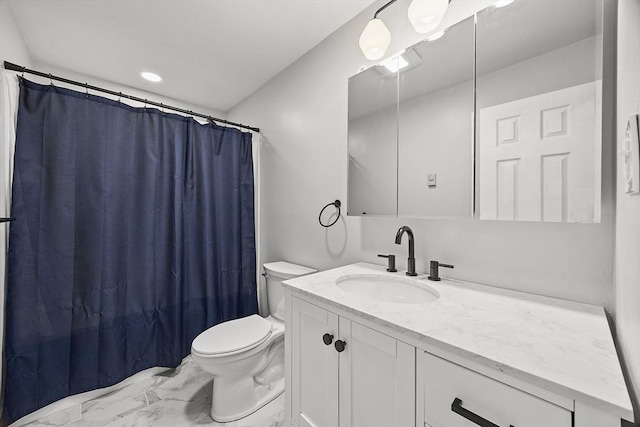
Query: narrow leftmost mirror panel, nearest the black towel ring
[372,147]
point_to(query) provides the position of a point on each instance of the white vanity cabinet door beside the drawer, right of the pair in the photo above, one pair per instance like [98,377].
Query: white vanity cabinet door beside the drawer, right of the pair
[377,379]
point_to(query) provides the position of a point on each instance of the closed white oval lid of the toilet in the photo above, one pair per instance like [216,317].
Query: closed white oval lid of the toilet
[232,336]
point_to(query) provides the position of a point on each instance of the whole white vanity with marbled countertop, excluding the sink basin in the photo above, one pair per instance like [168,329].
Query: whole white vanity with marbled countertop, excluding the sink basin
[476,356]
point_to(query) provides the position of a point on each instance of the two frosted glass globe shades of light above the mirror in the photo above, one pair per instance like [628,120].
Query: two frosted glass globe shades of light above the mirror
[424,15]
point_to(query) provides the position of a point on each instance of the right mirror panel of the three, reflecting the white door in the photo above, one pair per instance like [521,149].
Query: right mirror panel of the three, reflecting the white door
[538,103]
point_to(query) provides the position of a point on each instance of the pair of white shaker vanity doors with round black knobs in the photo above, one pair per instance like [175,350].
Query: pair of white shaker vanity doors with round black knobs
[344,374]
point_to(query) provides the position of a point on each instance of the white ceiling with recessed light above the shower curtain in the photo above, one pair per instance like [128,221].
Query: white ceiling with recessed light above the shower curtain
[212,53]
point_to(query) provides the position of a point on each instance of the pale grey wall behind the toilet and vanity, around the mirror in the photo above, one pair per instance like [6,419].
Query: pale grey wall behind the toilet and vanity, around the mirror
[303,115]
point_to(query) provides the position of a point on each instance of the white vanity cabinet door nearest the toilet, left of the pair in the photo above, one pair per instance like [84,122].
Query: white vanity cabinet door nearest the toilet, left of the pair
[314,383]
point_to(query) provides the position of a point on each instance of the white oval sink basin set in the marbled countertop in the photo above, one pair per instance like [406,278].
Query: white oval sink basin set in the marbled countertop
[383,288]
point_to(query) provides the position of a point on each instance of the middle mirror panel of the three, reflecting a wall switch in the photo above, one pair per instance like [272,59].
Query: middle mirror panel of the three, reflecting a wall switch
[435,145]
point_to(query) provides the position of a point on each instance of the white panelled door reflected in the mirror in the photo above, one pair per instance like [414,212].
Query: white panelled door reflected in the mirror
[539,159]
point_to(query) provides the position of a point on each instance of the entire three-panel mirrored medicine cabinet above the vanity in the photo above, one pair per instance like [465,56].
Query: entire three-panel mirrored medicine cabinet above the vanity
[529,149]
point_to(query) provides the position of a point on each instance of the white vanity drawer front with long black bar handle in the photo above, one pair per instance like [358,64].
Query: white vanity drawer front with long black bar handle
[447,385]
